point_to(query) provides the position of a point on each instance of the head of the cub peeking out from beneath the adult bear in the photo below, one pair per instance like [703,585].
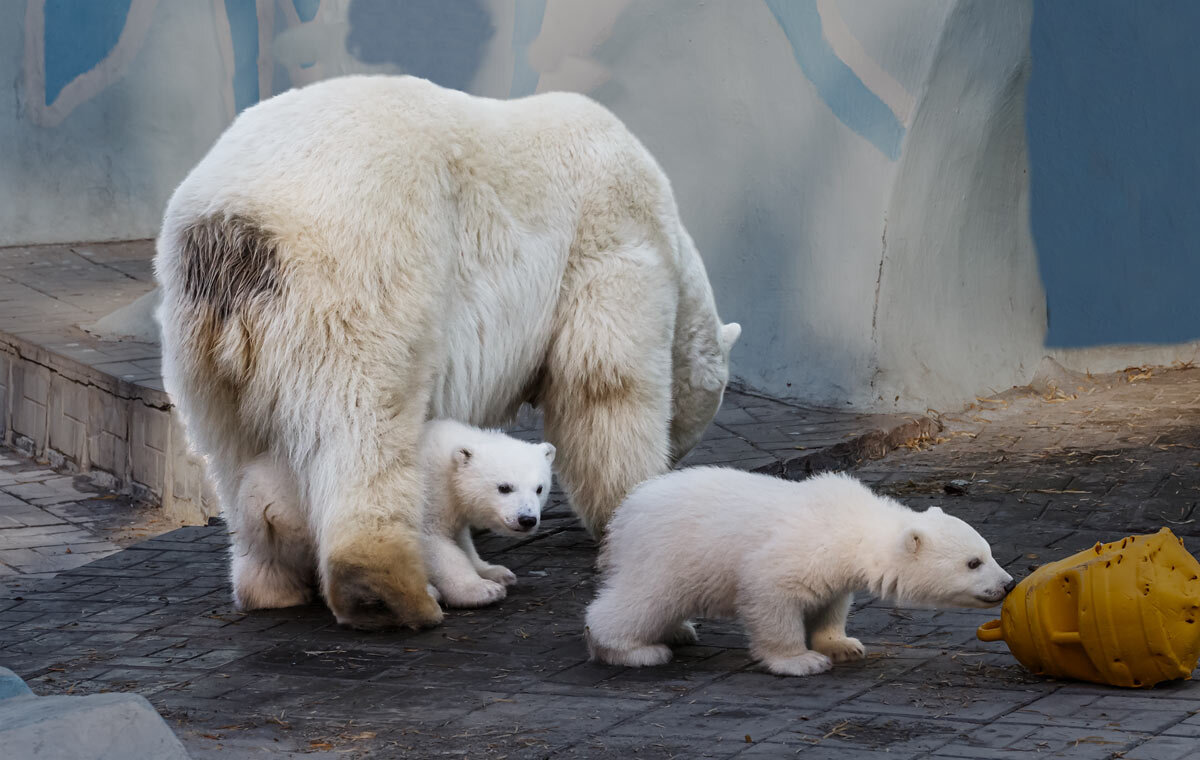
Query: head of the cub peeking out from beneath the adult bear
[505,484]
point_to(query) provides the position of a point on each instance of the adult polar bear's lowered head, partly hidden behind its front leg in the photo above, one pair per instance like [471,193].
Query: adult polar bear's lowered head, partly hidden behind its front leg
[699,386]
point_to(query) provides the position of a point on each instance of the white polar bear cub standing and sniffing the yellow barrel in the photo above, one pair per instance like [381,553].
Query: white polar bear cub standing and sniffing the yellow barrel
[784,558]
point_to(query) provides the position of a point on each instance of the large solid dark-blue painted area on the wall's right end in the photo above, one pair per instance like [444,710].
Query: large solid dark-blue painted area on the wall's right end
[1115,170]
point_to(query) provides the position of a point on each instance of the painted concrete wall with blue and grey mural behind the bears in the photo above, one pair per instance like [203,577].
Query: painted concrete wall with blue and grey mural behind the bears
[857,173]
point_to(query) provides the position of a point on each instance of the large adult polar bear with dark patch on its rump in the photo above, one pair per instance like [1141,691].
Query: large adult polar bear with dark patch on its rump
[361,255]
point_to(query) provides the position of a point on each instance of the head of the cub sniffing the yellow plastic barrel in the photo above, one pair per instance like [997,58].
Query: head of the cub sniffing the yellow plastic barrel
[945,562]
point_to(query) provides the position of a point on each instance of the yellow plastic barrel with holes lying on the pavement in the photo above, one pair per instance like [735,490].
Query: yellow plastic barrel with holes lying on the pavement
[1125,614]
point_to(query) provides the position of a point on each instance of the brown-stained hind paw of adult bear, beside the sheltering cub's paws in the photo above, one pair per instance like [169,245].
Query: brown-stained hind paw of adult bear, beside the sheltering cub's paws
[376,599]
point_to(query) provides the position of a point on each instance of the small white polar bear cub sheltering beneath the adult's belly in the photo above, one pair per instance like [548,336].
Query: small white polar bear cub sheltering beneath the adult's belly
[477,480]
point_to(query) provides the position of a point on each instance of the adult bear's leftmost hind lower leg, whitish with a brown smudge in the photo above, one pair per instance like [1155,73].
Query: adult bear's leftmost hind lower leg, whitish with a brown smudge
[273,564]
